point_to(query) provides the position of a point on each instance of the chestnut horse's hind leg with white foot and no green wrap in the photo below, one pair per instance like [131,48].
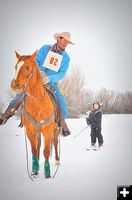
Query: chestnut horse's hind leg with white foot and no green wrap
[55,140]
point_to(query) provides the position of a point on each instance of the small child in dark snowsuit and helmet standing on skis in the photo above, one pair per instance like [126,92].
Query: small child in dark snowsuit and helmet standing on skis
[94,120]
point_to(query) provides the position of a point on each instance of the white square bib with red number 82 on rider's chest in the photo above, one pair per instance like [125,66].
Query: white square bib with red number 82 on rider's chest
[53,61]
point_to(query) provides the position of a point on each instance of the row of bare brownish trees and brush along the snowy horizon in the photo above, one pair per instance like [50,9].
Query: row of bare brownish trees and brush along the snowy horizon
[80,98]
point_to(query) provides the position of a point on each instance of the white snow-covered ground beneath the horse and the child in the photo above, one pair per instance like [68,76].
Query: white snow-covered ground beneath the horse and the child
[87,175]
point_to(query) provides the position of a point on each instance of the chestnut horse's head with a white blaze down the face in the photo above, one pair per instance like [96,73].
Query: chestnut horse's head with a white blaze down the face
[23,71]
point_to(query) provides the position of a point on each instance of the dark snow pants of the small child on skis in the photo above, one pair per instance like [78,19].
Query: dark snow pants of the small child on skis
[96,133]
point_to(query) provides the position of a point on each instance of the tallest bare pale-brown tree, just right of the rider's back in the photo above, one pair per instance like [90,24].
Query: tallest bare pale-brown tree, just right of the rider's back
[73,86]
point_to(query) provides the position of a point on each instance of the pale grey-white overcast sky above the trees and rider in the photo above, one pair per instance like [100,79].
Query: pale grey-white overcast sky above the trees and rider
[101,29]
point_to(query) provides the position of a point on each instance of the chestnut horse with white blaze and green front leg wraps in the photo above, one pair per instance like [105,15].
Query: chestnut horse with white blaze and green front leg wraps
[38,110]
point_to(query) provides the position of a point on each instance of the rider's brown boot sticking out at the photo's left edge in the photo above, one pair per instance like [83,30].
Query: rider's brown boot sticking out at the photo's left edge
[9,112]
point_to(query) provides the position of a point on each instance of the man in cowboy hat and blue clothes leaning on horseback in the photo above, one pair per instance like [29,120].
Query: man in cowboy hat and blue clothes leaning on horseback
[53,62]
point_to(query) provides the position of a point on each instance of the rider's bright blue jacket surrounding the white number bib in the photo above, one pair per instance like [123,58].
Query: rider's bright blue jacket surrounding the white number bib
[52,75]
